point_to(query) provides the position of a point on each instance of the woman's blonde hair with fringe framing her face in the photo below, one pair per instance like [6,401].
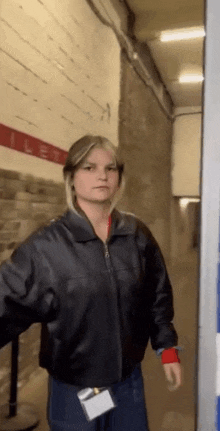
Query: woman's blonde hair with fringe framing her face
[77,154]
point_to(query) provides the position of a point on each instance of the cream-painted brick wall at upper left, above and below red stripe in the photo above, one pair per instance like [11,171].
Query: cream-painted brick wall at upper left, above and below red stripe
[60,76]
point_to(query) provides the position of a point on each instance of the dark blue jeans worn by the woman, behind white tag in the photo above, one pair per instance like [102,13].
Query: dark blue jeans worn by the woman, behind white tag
[65,412]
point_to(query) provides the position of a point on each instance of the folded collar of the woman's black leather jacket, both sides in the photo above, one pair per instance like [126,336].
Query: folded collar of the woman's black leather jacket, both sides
[82,229]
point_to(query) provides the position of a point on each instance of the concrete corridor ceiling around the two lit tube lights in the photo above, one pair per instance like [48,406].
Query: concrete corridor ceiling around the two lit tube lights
[176,57]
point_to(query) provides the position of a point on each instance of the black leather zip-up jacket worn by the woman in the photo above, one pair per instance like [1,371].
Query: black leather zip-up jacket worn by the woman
[98,304]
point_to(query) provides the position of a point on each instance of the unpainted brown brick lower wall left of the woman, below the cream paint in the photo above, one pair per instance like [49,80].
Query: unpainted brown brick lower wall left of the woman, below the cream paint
[26,203]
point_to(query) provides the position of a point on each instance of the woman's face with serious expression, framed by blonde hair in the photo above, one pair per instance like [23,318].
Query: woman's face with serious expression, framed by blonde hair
[97,178]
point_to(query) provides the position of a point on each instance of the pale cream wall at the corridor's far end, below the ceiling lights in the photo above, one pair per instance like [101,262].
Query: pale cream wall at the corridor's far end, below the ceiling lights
[186,157]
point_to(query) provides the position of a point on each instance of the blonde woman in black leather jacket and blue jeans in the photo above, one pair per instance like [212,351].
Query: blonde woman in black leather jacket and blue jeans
[96,280]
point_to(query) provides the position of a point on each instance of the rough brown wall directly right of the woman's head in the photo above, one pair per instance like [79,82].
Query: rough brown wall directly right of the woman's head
[145,142]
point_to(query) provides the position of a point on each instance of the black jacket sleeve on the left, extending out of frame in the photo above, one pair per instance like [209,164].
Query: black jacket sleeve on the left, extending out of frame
[23,297]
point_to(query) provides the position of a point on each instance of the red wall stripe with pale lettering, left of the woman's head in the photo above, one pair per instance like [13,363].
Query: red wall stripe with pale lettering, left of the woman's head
[27,144]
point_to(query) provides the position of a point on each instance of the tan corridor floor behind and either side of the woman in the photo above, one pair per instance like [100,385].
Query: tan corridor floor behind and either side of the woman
[167,411]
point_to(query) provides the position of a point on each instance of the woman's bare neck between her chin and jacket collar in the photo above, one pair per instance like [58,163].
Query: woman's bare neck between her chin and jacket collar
[97,213]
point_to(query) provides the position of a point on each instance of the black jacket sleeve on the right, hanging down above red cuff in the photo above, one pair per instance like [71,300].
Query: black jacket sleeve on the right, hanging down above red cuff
[162,331]
